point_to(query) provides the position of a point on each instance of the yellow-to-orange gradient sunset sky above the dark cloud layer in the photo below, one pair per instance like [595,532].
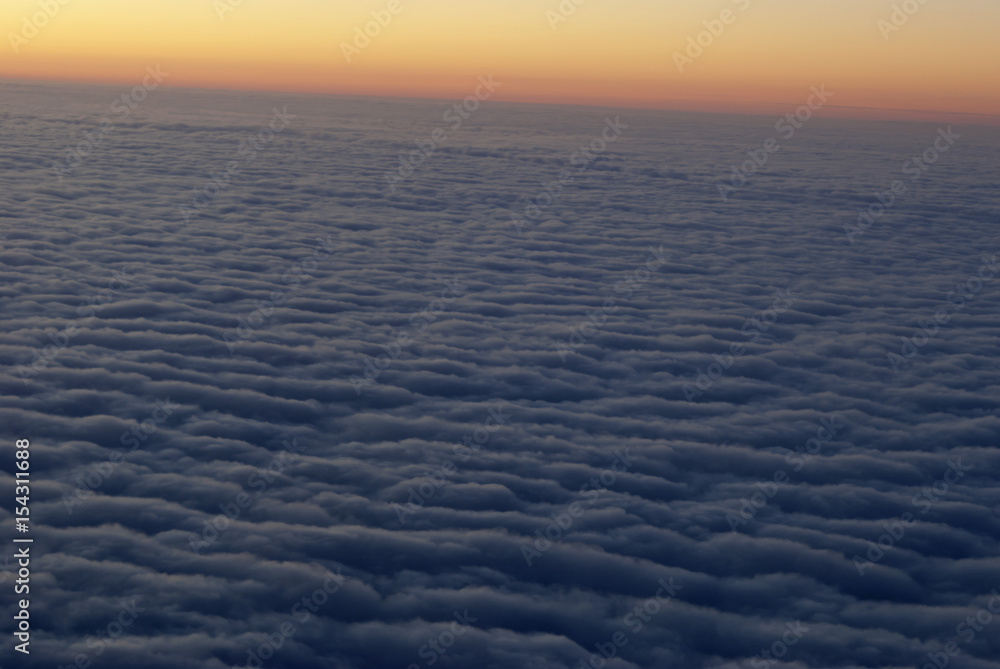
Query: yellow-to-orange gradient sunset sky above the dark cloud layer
[617,53]
